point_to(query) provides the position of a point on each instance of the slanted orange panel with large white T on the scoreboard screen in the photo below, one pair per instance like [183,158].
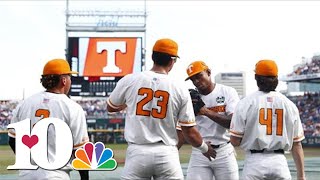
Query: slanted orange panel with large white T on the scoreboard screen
[110,57]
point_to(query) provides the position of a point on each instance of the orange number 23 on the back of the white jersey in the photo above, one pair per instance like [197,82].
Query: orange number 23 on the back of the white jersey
[162,102]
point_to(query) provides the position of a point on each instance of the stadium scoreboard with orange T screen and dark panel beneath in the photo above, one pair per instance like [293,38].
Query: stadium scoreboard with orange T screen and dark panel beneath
[102,62]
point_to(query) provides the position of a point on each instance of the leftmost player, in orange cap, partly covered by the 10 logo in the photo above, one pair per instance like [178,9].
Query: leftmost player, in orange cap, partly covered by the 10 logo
[53,102]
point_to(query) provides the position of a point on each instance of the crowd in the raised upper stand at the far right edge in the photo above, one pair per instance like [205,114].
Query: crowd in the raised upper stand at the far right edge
[312,67]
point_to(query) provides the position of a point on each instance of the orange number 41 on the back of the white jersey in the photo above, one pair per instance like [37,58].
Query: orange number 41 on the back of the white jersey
[268,120]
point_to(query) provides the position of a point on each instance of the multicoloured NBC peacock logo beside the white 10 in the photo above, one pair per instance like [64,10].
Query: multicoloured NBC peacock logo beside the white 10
[94,157]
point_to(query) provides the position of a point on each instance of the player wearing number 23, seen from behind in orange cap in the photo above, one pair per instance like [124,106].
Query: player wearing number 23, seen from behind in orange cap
[155,102]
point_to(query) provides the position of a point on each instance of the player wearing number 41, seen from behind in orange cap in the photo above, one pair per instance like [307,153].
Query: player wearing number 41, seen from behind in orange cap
[266,124]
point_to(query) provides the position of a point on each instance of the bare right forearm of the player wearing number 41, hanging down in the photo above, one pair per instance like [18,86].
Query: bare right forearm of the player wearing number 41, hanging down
[298,156]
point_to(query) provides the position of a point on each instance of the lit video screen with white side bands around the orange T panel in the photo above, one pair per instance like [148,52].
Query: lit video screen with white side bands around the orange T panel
[105,56]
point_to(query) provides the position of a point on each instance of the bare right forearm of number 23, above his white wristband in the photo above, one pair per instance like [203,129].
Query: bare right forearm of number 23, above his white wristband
[191,135]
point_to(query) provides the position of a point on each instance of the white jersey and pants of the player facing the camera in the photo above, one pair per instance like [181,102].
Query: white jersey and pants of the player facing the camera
[223,100]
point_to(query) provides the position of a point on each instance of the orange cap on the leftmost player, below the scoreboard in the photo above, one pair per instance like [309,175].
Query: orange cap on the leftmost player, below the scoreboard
[58,67]
